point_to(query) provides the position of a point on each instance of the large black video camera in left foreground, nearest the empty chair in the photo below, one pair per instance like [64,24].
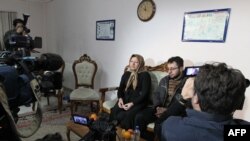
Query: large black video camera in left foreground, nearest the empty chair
[16,73]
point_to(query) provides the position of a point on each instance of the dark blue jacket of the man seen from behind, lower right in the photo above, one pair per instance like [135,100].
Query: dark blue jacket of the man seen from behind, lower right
[197,126]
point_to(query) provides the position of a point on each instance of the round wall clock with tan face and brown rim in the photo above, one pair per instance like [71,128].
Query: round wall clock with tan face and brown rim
[146,10]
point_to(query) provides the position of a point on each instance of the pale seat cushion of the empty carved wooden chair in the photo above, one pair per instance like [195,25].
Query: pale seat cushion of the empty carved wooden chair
[83,93]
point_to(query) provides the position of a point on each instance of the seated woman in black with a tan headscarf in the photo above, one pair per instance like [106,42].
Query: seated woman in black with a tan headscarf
[132,94]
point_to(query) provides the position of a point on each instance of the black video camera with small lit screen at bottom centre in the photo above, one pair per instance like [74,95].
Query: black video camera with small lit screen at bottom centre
[100,129]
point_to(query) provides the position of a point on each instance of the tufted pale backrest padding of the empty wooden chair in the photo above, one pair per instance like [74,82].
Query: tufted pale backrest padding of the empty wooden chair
[85,72]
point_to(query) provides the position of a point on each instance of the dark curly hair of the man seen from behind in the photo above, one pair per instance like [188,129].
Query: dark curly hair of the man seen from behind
[220,89]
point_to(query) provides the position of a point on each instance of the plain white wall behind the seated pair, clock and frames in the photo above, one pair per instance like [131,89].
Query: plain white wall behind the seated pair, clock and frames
[69,26]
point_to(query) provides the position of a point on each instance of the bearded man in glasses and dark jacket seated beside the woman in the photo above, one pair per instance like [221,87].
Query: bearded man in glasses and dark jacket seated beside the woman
[162,98]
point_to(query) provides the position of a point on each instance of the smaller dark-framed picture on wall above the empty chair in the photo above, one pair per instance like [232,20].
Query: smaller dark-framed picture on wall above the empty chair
[105,30]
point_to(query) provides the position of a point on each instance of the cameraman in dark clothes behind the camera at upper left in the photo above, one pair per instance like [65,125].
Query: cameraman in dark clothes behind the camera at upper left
[18,30]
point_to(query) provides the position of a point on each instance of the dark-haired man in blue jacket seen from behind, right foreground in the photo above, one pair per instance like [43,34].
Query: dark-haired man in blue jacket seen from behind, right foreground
[216,93]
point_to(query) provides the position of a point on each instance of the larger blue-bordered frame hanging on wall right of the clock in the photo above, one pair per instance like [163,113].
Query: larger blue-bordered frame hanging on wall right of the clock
[206,26]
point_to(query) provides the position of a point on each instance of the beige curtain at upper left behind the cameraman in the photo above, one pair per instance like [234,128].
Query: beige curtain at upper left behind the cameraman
[6,19]
